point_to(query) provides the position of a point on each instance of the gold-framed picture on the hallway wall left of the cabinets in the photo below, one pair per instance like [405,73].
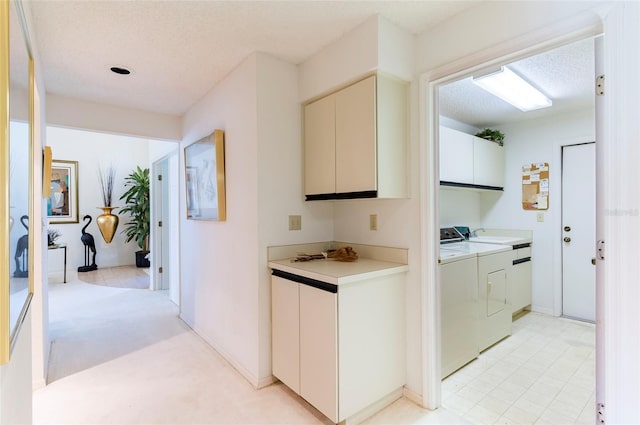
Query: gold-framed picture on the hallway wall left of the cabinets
[205,178]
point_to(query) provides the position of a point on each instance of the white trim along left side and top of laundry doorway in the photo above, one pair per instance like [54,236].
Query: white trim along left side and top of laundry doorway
[556,35]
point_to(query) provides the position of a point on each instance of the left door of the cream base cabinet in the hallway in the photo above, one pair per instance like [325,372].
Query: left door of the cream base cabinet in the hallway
[285,335]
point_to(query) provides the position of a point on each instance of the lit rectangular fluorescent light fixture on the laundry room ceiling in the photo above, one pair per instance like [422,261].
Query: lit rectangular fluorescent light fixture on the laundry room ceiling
[511,88]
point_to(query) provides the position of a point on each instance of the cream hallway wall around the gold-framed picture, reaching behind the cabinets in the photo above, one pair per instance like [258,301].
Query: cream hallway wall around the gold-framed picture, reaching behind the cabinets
[225,293]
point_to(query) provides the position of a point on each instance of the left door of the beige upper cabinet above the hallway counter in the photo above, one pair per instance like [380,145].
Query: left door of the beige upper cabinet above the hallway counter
[319,147]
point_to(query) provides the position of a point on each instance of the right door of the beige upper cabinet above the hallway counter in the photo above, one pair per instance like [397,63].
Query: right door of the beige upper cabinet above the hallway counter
[356,169]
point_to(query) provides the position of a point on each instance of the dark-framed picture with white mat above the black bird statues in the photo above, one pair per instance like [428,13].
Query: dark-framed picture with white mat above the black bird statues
[62,203]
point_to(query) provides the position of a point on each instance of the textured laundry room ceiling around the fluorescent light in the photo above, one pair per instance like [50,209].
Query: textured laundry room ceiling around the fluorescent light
[566,75]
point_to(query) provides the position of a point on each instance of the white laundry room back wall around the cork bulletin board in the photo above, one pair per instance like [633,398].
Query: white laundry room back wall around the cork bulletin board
[527,142]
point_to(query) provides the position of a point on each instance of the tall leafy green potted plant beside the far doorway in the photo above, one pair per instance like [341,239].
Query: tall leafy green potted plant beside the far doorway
[137,205]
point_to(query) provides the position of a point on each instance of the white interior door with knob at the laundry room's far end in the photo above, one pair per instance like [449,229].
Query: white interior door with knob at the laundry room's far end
[578,232]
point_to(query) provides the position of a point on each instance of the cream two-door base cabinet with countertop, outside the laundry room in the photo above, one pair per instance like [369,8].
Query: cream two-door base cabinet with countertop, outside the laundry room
[338,339]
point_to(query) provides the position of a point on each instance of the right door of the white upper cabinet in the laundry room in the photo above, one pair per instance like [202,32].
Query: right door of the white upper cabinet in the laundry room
[488,163]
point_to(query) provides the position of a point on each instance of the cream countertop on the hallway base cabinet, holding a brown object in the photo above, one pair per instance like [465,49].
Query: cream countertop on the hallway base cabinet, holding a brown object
[338,272]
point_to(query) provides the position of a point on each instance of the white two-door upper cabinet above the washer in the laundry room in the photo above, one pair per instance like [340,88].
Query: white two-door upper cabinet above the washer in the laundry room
[469,161]
